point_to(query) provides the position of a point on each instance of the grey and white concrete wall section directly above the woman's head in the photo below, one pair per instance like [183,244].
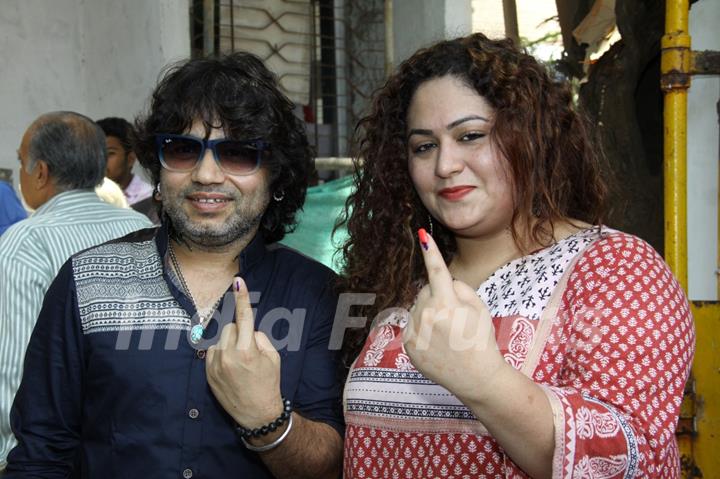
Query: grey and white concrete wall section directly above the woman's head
[418,23]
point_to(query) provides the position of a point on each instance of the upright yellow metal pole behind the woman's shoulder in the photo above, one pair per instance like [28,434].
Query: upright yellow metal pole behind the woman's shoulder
[675,81]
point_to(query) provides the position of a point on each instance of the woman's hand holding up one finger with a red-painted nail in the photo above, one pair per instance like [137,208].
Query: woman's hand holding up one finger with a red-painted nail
[450,337]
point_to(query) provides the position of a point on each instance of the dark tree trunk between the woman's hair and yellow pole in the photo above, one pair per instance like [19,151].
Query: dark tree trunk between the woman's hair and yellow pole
[623,99]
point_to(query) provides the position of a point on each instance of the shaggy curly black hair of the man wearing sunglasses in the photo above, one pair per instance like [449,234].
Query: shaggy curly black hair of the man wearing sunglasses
[237,93]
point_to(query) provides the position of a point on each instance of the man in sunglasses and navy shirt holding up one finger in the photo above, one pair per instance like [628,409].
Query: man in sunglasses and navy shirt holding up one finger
[200,348]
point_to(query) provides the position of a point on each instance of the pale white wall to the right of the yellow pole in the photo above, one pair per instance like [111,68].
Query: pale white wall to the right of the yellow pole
[703,145]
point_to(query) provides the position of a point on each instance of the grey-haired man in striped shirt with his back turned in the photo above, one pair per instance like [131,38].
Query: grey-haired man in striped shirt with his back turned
[62,159]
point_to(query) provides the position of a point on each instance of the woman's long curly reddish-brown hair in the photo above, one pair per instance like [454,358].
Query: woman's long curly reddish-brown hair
[554,166]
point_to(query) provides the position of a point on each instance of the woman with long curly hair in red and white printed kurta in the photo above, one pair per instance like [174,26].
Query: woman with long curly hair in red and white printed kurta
[518,337]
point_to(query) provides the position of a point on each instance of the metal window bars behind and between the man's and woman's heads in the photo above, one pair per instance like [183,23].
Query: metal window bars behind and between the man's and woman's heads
[329,56]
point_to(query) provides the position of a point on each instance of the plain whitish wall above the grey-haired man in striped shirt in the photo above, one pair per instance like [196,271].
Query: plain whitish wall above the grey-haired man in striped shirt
[96,57]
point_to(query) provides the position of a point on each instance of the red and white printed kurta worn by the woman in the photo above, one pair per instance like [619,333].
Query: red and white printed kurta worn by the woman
[597,319]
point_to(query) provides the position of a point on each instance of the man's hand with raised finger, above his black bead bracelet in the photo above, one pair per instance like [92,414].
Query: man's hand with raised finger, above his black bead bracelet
[243,368]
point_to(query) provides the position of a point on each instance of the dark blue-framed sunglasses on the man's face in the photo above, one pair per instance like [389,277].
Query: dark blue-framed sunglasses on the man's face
[182,153]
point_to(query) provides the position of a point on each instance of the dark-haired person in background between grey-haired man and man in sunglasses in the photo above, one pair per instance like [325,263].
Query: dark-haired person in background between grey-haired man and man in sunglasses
[121,159]
